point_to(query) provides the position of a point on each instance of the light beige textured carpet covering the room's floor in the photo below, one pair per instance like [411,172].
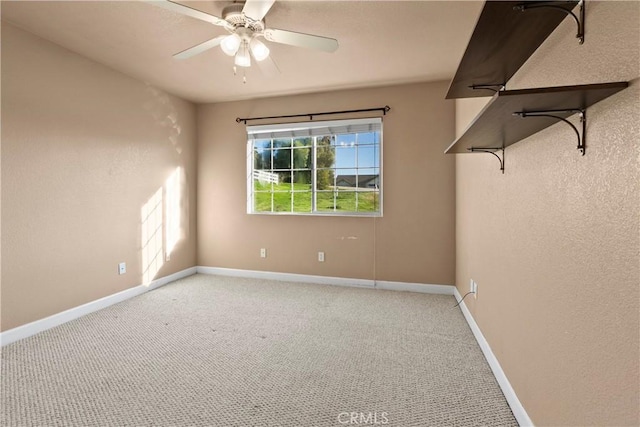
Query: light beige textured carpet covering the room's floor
[220,351]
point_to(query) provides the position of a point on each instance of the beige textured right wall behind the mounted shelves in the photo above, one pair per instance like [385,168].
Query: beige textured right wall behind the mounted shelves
[554,242]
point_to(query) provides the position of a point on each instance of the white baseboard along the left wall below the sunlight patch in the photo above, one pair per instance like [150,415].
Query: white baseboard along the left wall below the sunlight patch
[24,331]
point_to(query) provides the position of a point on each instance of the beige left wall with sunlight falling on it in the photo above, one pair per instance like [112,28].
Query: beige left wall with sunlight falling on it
[83,150]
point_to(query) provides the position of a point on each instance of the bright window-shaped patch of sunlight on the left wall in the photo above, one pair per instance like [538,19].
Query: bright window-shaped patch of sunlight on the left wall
[161,230]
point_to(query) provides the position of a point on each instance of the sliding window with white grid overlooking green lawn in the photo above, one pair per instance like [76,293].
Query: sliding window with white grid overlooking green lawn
[319,168]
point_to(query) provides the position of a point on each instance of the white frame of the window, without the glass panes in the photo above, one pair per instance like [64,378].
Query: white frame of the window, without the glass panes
[313,130]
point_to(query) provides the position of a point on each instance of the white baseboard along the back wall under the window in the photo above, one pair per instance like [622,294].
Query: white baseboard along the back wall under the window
[328,280]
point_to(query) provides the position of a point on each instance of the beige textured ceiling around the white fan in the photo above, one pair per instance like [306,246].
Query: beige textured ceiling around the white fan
[381,42]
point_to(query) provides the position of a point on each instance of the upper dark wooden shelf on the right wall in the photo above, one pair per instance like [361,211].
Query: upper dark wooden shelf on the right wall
[503,39]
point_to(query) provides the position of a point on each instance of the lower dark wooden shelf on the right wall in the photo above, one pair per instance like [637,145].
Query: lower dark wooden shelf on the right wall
[497,126]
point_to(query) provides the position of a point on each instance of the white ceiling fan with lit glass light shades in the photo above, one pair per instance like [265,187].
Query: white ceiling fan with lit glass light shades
[244,21]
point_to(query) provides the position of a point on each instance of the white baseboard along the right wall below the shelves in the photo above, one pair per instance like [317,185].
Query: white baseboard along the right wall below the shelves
[512,399]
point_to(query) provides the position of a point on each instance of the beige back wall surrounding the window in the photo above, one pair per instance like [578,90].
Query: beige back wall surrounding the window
[413,242]
